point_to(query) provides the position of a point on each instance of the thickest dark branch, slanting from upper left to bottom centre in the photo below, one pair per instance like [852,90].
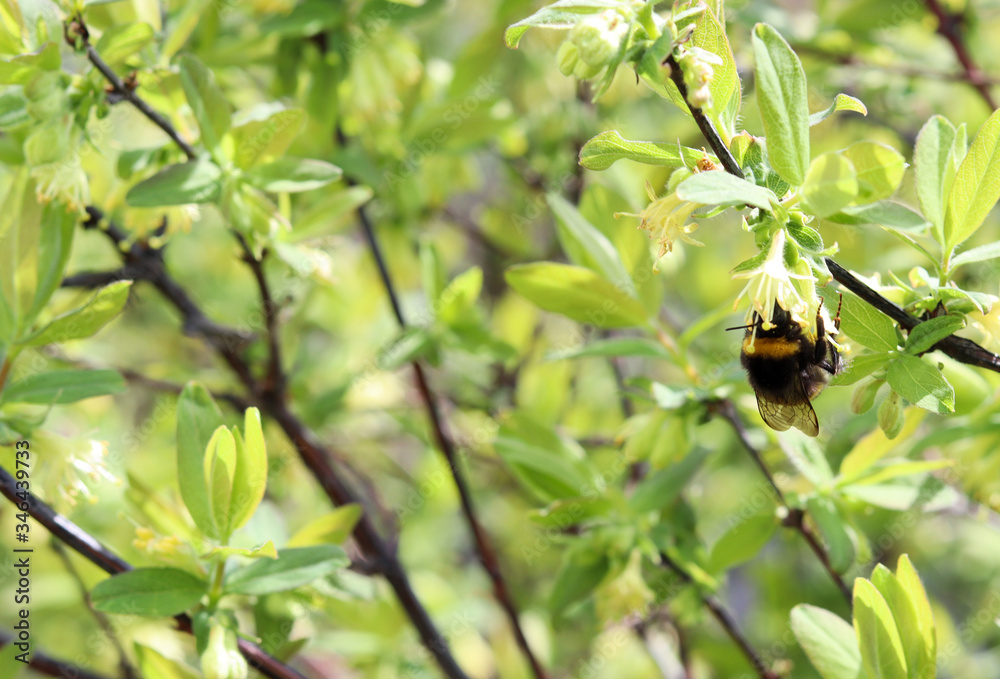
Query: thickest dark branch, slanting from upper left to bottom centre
[316,458]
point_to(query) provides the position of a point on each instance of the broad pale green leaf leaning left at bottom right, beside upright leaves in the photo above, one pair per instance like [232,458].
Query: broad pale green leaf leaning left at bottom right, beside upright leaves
[828,641]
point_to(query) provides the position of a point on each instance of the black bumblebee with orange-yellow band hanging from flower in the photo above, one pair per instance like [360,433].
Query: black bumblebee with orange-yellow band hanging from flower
[787,367]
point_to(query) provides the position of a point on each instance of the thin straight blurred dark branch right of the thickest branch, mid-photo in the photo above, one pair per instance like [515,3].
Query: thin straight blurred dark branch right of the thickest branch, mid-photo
[484,548]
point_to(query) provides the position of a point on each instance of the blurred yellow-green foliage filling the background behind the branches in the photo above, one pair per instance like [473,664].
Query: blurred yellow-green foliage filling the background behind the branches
[451,142]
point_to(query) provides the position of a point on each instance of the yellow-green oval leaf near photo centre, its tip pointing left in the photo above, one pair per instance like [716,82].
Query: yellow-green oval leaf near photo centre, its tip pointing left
[577,293]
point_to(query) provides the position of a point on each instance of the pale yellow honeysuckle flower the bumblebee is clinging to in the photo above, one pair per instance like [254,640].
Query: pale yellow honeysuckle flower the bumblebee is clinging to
[772,283]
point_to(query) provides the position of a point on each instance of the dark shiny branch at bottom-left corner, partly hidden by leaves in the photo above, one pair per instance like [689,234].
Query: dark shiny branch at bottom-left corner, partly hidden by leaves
[89,547]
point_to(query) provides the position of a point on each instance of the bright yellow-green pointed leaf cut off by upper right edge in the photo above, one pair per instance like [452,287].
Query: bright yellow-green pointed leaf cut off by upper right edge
[976,186]
